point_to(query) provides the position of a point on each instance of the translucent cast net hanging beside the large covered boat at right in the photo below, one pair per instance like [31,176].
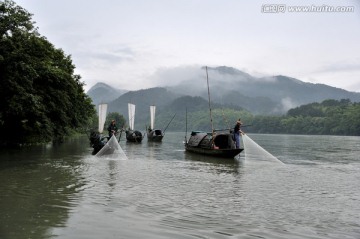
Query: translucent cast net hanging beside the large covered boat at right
[253,151]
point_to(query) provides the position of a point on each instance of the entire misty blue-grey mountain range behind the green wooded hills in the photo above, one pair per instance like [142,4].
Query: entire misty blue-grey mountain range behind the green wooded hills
[228,86]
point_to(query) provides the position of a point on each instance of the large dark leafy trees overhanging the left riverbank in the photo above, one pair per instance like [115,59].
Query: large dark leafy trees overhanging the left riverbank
[41,99]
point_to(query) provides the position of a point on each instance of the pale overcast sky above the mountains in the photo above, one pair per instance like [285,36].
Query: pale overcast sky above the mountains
[128,43]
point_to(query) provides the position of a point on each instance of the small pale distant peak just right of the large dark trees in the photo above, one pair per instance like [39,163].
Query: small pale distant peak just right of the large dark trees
[103,93]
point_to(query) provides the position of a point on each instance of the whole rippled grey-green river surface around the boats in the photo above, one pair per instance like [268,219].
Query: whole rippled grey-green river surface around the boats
[161,191]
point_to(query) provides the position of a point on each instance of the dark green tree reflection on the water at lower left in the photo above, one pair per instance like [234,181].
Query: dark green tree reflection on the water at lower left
[38,188]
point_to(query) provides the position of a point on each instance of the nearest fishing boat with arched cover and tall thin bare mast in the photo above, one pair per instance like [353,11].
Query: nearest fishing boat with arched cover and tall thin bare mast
[217,143]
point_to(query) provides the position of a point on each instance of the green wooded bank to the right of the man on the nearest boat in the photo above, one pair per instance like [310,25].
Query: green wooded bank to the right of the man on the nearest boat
[331,117]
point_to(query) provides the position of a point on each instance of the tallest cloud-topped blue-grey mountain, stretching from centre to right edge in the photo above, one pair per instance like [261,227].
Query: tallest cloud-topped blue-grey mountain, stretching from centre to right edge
[265,95]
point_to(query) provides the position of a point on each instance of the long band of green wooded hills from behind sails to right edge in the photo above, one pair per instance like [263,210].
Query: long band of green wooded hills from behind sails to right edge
[331,117]
